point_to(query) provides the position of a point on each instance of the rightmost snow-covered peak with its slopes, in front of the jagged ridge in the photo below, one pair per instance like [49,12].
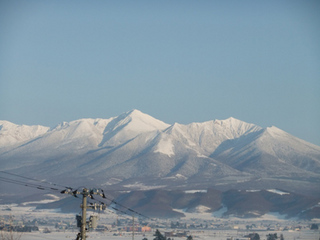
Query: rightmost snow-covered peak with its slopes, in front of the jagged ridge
[272,152]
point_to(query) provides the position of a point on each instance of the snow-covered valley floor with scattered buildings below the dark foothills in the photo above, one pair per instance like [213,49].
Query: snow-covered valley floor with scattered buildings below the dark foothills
[238,230]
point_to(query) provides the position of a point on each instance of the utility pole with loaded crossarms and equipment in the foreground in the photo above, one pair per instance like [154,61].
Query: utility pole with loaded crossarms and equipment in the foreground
[86,193]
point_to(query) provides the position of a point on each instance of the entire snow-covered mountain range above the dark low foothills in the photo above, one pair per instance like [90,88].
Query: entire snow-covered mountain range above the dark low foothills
[135,151]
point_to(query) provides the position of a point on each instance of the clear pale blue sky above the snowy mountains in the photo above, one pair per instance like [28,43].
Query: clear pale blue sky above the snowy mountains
[178,61]
